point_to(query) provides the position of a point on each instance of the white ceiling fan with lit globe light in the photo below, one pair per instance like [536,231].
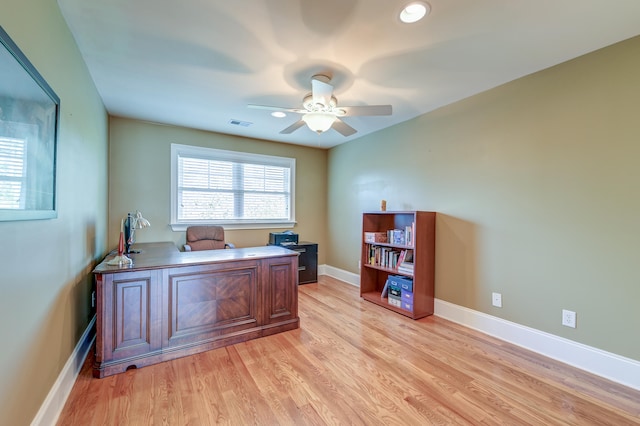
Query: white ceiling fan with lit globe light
[320,110]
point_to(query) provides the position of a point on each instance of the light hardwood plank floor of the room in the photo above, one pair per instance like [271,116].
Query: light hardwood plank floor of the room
[354,363]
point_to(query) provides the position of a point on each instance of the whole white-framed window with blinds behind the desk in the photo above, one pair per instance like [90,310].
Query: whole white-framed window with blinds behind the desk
[235,189]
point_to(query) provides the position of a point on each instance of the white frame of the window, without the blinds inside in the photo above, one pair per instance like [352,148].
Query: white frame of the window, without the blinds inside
[178,150]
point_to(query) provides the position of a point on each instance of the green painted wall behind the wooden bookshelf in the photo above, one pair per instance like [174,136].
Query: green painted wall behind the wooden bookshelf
[537,187]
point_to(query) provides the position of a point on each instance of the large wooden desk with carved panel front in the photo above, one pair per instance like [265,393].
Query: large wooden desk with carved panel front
[170,304]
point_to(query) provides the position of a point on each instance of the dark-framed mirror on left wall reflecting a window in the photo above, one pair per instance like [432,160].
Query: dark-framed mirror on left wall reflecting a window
[29,123]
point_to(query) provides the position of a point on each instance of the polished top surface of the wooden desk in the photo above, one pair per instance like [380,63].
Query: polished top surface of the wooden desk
[166,254]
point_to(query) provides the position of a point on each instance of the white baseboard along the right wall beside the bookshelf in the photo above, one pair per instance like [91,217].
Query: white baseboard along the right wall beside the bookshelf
[614,367]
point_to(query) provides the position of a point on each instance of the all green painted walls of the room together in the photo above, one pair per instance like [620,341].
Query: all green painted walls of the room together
[536,184]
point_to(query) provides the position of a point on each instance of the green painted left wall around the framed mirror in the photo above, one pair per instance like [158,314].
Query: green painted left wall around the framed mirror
[45,272]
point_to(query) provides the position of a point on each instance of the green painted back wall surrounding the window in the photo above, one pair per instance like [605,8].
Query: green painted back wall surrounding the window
[140,179]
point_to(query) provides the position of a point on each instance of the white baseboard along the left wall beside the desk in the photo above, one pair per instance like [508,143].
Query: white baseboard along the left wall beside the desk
[55,400]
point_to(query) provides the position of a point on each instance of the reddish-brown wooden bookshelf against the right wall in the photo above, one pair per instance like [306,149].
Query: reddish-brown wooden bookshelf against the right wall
[373,274]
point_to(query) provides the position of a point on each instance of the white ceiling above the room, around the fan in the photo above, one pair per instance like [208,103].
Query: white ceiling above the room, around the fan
[198,63]
